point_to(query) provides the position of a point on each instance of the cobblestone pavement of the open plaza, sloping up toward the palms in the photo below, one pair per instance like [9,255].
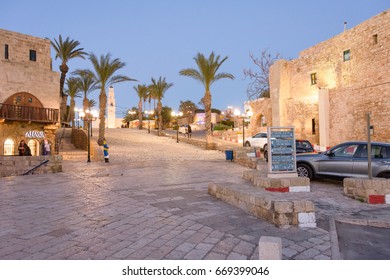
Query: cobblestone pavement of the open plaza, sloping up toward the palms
[149,202]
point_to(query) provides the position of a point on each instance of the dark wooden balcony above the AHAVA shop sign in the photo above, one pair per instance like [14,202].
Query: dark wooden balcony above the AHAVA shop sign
[24,113]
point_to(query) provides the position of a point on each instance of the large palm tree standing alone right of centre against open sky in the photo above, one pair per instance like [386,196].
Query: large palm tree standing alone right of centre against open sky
[207,75]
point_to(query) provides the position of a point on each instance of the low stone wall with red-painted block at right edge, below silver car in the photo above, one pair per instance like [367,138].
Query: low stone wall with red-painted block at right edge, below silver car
[373,191]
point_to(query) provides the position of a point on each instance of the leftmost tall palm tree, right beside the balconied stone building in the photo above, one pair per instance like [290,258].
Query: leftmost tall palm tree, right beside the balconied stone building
[66,50]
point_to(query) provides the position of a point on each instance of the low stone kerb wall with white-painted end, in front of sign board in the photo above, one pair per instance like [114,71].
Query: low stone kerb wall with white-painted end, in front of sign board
[281,212]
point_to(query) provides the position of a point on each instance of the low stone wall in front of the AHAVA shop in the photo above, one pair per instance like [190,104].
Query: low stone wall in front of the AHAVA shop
[18,165]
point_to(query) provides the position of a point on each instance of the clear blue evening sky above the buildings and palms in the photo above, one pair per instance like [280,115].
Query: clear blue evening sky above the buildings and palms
[160,37]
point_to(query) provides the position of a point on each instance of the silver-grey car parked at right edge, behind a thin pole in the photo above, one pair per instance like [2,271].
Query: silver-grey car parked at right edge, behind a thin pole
[348,159]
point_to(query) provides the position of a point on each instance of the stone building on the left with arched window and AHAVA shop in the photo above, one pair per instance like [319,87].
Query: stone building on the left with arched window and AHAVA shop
[29,93]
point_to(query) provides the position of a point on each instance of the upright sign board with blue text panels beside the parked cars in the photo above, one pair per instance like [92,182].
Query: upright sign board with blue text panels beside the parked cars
[281,150]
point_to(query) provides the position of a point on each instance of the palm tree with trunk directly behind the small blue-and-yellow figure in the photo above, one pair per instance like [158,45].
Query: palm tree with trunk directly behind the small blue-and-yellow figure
[104,75]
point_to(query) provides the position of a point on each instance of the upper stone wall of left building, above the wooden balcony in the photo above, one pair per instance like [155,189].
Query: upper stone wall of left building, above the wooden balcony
[19,74]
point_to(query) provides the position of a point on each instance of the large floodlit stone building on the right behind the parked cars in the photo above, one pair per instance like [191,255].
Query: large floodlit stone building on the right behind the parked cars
[327,92]
